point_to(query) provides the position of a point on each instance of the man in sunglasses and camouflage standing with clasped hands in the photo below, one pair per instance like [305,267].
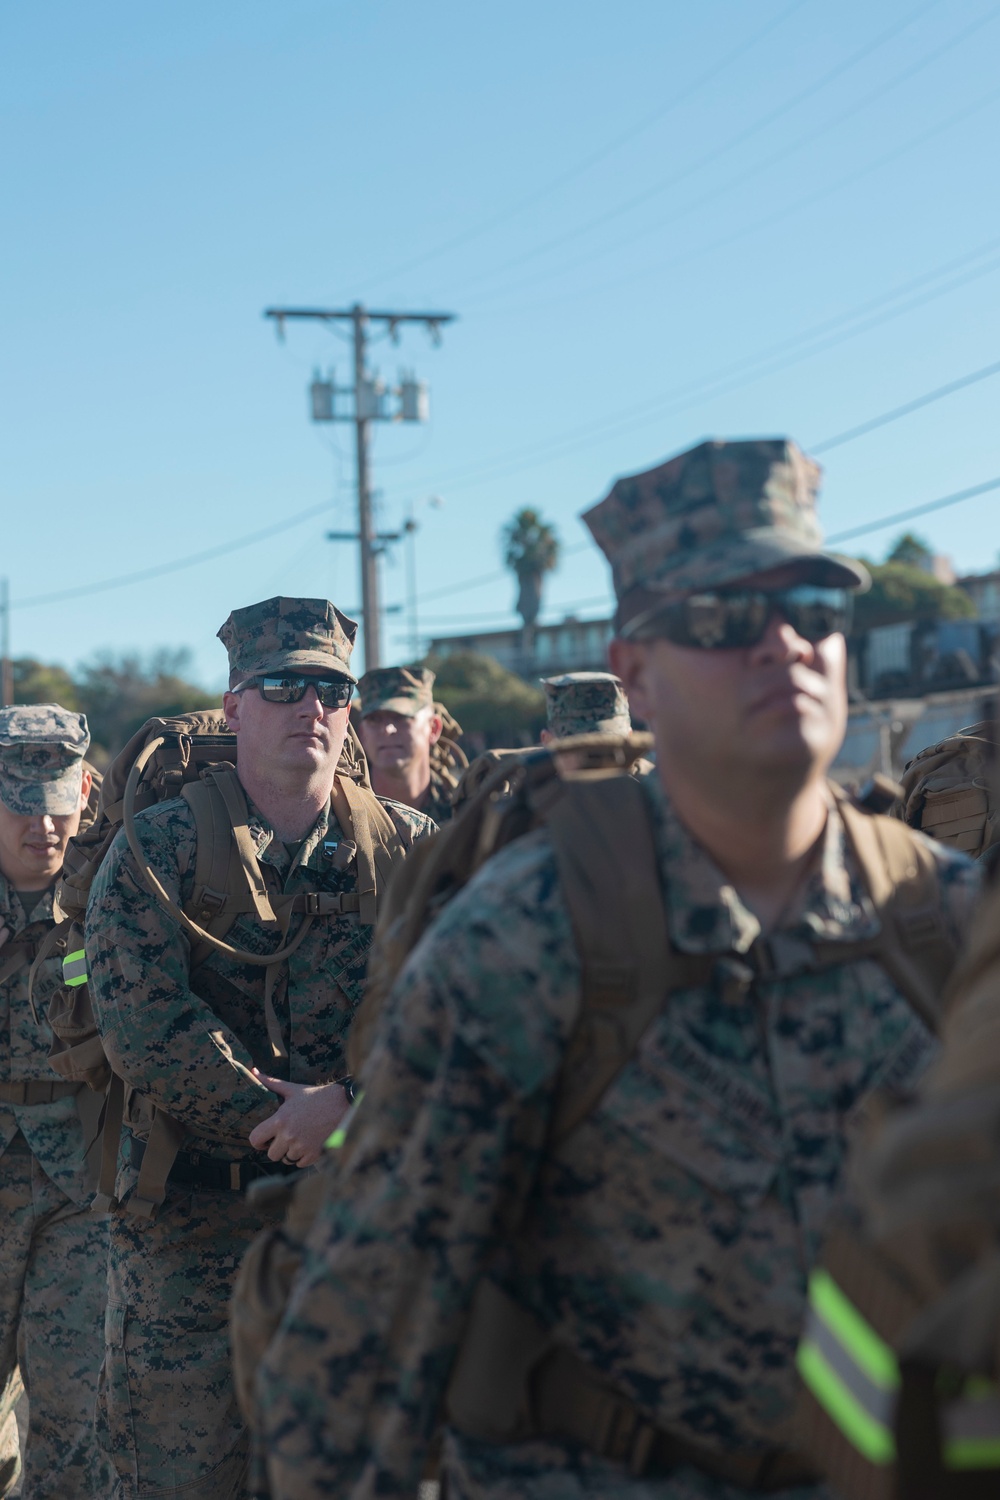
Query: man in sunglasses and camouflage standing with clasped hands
[247,1063]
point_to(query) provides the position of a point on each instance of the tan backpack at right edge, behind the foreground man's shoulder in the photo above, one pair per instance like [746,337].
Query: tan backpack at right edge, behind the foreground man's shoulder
[948,791]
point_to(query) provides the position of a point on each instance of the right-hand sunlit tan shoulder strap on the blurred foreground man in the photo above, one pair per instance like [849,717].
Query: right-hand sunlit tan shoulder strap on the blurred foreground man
[914,944]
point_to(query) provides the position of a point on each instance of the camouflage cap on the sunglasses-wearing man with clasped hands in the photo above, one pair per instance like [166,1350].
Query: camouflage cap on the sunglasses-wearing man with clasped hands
[284,635]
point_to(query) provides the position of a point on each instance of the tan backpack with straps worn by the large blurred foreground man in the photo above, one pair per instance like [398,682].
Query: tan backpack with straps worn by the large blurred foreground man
[600,829]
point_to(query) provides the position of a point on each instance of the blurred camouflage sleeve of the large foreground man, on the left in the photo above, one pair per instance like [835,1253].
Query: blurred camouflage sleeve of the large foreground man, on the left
[436,1172]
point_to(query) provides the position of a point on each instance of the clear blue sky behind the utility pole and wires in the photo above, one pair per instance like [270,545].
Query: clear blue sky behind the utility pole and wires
[656,223]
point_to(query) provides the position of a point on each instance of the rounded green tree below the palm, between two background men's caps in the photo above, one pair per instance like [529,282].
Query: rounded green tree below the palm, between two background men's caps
[494,706]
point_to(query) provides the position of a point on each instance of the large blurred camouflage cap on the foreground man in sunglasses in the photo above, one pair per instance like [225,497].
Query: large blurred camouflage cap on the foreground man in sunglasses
[714,515]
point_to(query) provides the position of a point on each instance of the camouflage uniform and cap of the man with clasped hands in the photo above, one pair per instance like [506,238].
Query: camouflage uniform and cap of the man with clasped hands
[167,1411]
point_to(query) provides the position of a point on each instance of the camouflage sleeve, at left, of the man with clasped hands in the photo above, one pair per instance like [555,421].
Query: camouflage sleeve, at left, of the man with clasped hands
[155,1030]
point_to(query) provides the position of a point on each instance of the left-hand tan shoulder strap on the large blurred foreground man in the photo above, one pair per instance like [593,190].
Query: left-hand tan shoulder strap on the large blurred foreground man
[603,841]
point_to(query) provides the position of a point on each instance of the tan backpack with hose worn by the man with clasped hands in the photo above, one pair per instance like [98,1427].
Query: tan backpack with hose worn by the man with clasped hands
[193,757]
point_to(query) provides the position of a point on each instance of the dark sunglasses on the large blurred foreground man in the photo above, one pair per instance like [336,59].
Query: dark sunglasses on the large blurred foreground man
[723,622]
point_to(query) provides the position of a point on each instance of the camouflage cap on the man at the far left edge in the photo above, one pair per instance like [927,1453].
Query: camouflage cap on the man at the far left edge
[43,752]
